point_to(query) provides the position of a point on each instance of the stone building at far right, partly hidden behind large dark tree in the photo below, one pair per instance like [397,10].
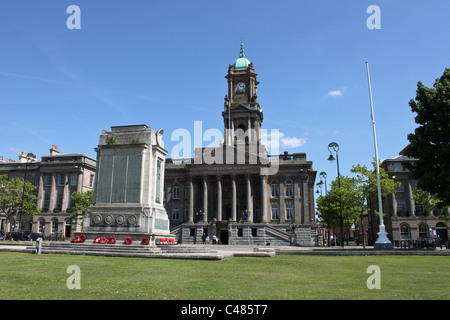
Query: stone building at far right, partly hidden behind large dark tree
[406,221]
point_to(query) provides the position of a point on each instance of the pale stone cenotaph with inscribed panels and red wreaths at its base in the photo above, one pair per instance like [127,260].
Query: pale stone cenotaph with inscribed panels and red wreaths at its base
[128,188]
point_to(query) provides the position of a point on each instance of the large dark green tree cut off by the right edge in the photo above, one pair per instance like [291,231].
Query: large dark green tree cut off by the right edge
[430,143]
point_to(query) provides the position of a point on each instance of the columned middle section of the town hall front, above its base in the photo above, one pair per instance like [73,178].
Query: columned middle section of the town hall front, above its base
[225,196]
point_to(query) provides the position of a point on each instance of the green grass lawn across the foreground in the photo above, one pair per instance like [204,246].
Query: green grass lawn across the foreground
[28,276]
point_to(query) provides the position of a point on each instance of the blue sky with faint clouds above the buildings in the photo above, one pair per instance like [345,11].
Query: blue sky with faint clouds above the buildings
[162,63]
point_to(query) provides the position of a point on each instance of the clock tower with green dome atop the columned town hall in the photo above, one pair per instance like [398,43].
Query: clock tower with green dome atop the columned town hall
[242,114]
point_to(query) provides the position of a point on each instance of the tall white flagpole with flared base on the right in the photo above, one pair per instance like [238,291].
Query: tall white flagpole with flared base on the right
[382,242]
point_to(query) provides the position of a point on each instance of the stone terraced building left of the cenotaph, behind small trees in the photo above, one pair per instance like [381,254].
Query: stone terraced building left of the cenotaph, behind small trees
[56,177]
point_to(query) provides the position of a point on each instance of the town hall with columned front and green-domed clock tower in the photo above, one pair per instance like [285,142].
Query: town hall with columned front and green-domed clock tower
[237,192]
